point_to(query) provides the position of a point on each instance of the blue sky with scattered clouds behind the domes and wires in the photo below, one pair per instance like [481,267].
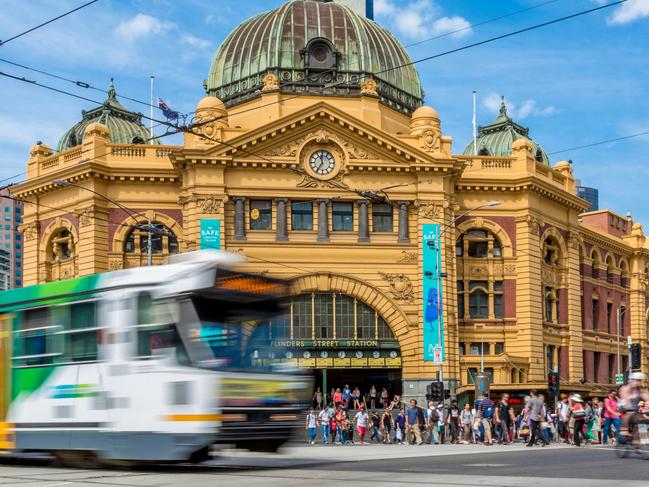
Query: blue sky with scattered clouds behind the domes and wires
[573,83]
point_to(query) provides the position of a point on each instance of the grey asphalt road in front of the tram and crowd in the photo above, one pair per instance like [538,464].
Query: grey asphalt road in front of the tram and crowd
[376,465]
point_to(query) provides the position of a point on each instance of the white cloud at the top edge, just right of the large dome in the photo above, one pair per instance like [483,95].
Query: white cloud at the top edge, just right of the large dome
[420,19]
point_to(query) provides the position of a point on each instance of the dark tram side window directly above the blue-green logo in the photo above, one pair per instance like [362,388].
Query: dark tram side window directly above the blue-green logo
[81,343]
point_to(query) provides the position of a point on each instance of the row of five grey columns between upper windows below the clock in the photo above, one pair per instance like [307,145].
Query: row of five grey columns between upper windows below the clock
[323,220]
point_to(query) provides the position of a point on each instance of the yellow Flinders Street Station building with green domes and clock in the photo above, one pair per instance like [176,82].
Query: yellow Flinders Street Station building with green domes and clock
[313,155]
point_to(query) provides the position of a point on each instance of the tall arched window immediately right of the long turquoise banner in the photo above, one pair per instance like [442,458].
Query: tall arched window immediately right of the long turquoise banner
[481,298]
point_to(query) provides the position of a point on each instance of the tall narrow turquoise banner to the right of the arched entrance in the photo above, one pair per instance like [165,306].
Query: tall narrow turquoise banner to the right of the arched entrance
[433,326]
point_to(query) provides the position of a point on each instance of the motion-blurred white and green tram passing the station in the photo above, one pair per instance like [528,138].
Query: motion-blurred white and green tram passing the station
[146,364]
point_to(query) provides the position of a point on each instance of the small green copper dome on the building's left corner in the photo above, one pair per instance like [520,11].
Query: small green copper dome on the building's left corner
[125,127]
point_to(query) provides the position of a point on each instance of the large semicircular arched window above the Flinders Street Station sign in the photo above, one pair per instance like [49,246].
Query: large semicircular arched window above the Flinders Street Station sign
[330,316]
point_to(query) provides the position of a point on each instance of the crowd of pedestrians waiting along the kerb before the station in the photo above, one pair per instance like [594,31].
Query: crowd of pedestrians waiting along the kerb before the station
[575,421]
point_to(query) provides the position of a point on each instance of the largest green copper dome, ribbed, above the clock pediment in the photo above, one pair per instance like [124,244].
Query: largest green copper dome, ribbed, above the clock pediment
[314,47]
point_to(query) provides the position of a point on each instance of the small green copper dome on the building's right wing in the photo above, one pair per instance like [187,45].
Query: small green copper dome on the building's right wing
[496,138]
